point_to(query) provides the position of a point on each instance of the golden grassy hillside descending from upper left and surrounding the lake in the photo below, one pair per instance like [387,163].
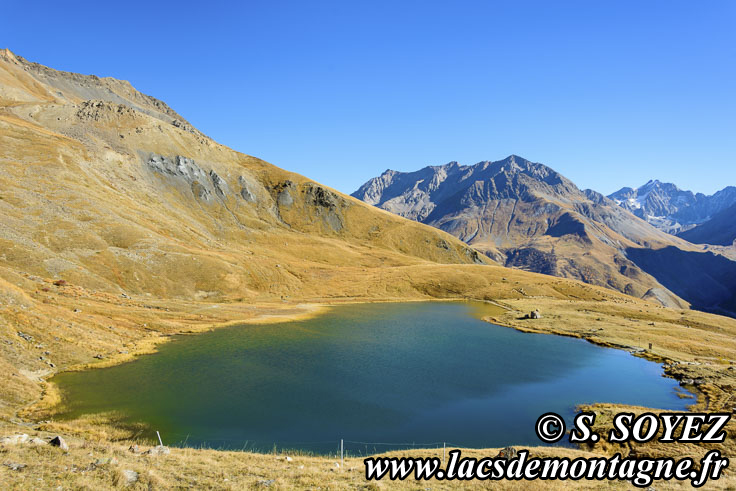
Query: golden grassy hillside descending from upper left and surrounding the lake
[123,225]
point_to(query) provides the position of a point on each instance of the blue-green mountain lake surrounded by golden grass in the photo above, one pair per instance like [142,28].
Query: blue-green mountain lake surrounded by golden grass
[381,373]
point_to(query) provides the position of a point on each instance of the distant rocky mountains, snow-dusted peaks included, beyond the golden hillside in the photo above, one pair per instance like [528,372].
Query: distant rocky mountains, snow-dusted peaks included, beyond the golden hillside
[527,215]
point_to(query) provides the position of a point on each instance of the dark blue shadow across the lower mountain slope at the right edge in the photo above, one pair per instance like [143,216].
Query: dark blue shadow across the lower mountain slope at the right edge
[706,280]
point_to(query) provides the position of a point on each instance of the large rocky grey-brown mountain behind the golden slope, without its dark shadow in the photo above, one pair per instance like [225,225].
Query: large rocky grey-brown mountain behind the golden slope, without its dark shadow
[526,215]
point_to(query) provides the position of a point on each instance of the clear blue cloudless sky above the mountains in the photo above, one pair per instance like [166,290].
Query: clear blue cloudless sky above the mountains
[608,93]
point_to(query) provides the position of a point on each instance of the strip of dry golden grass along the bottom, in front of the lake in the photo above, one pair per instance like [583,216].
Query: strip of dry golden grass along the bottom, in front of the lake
[50,468]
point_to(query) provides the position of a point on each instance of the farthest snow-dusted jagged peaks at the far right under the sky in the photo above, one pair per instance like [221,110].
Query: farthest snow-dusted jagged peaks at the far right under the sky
[671,209]
